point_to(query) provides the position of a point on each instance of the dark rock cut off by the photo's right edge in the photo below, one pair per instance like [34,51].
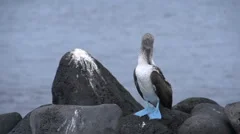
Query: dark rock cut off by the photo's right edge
[233,113]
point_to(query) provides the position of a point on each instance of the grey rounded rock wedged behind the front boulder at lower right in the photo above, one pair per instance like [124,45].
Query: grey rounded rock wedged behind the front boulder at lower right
[213,110]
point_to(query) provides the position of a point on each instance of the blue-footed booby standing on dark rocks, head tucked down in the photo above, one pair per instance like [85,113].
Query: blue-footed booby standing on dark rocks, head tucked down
[150,81]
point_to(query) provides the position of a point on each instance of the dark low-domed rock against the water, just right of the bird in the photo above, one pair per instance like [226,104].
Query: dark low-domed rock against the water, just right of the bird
[188,104]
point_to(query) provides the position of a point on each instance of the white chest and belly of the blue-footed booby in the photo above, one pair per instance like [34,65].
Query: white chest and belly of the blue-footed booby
[143,73]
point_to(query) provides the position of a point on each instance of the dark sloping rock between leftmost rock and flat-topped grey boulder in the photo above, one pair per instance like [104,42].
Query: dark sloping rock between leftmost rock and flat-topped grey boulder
[22,127]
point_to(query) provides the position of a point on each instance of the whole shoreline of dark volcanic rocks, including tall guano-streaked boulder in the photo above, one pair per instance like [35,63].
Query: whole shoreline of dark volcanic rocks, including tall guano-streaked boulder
[88,99]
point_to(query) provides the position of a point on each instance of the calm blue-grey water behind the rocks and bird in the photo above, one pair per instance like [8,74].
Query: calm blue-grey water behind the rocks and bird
[197,45]
